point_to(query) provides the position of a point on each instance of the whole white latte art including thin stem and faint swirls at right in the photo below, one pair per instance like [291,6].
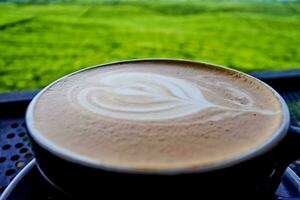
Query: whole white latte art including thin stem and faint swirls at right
[142,96]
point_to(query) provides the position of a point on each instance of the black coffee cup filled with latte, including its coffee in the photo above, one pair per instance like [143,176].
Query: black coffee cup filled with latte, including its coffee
[160,127]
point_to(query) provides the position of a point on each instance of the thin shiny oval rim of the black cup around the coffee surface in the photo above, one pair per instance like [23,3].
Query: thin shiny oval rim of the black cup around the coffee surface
[67,155]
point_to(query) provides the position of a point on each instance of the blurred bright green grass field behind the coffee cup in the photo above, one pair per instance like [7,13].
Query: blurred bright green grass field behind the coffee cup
[42,42]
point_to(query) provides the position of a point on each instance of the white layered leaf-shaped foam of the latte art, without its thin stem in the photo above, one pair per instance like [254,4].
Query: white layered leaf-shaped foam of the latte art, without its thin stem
[141,96]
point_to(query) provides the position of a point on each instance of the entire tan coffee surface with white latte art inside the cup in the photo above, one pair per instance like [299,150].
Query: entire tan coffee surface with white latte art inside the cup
[157,115]
